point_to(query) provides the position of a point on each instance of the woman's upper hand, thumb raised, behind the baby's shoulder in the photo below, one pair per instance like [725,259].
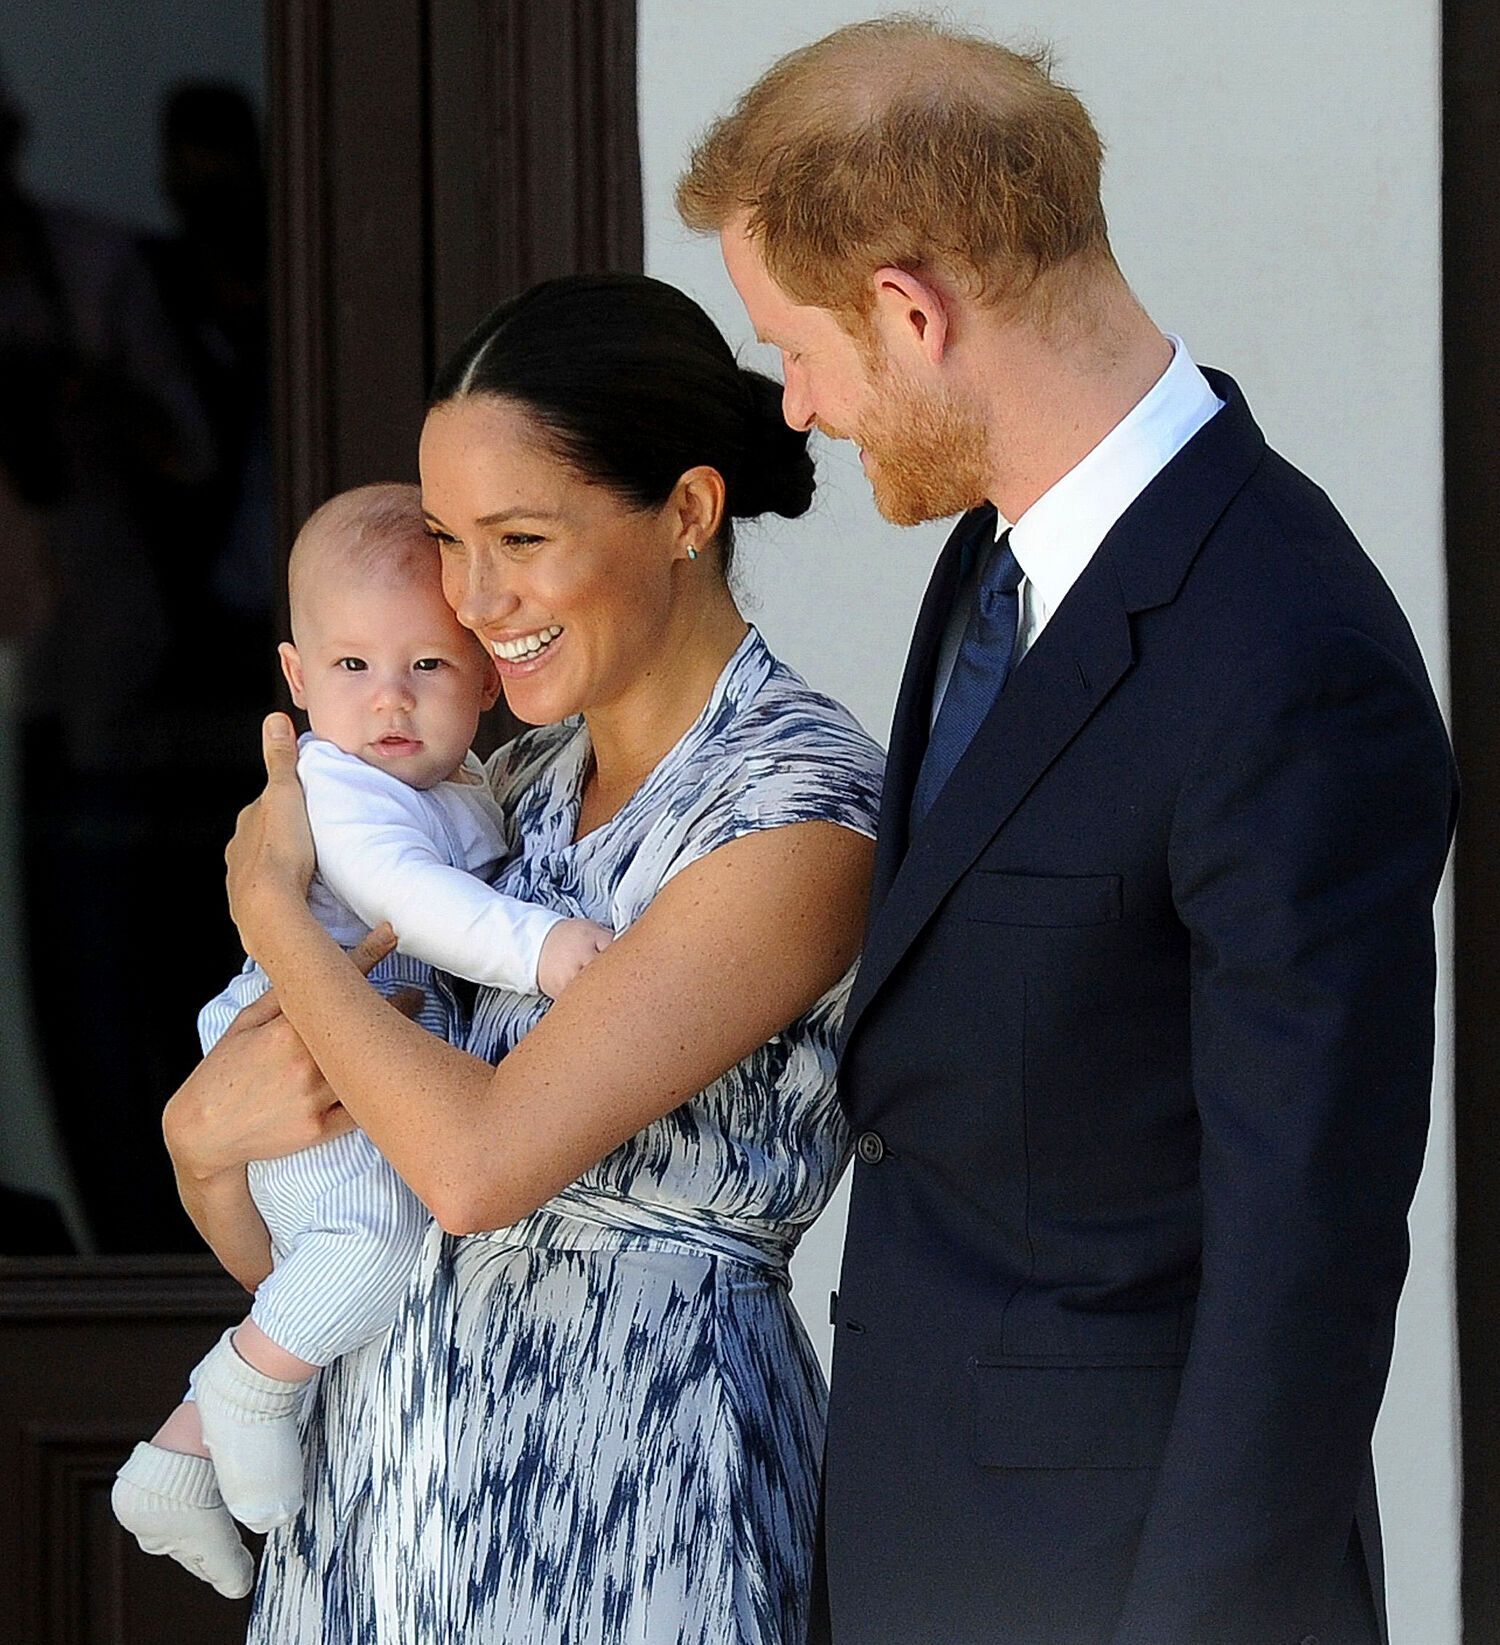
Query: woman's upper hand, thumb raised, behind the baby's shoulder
[271,858]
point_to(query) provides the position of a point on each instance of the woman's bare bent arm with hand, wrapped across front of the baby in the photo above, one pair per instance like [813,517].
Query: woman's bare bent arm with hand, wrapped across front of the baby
[731,952]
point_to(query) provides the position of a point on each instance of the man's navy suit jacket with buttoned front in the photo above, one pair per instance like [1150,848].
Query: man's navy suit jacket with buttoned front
[1139,1060]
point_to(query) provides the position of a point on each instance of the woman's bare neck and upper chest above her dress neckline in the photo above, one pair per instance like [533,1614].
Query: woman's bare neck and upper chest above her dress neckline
[632,734]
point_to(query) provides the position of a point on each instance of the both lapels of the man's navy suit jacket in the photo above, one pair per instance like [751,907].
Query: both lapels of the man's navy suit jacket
[1075,665]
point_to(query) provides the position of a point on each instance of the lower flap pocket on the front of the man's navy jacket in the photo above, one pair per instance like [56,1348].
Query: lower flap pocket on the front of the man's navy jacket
[1073,1416]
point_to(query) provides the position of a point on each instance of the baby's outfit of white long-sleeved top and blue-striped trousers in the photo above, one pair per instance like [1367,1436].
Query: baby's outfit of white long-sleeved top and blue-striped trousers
[345,1228]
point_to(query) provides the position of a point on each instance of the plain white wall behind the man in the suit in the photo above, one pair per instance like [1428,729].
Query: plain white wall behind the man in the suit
[1274,195]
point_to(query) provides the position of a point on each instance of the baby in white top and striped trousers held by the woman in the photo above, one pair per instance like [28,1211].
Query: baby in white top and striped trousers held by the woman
[405,832]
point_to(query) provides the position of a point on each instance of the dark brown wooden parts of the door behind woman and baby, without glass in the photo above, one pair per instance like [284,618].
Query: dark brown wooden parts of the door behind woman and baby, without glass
[427,160]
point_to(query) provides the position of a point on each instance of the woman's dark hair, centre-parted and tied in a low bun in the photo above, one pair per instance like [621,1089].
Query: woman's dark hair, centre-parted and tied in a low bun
[632,386]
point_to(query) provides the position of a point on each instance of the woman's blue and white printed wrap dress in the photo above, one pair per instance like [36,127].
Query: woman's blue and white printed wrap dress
[603,1425]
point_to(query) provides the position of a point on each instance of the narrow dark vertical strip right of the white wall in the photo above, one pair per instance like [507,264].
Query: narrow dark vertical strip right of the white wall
[1471,356]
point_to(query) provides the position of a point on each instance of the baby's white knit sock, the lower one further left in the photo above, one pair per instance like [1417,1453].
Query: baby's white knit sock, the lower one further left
[170,1504]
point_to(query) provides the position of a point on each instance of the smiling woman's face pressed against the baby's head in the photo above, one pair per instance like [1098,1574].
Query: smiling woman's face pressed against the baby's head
[568,586]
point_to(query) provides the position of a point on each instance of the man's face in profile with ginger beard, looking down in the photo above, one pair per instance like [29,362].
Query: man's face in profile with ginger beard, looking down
[922,450]
